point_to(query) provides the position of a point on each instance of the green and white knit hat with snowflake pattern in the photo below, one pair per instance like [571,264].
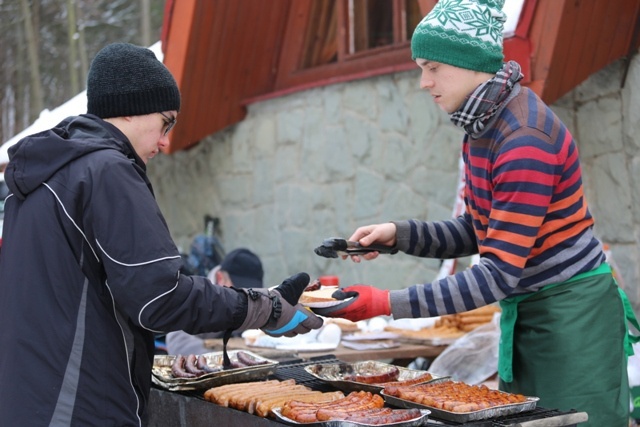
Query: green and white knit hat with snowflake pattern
[462,33]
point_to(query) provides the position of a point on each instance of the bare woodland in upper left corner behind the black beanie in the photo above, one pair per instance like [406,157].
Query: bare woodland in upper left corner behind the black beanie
[46,47]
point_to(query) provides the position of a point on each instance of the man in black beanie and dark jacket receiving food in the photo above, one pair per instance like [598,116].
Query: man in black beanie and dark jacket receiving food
[89,272]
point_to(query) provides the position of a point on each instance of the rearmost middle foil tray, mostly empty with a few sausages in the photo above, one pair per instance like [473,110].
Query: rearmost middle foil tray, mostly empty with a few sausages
[332,373]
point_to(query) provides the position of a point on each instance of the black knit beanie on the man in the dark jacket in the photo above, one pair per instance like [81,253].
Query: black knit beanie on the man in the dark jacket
[128,80]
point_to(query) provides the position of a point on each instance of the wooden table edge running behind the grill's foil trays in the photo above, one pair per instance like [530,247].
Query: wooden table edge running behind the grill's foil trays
[402,353]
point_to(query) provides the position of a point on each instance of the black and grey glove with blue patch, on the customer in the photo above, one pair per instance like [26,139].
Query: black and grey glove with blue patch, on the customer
[277,312]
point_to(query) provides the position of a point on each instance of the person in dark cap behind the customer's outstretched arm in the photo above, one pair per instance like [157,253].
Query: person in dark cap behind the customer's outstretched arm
[240,268]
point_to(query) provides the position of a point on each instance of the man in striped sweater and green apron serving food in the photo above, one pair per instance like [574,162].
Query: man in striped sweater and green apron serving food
[563,323]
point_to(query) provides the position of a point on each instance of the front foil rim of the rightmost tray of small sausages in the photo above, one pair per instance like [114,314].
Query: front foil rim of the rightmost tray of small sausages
[463,417]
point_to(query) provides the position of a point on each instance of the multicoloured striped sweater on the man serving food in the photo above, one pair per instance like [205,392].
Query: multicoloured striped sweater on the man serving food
[525,214]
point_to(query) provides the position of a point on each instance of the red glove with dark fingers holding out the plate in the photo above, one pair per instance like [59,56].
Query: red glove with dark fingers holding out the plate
[362,302]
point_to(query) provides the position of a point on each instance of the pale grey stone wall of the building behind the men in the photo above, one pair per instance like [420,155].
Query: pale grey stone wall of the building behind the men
[319,163]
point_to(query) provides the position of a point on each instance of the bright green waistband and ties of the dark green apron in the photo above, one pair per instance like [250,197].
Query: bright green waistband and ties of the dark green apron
[510,314]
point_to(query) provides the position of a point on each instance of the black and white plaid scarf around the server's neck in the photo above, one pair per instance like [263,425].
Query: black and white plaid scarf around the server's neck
[476,111]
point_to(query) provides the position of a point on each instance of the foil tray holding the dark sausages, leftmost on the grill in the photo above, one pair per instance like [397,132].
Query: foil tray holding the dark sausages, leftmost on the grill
[162,377]
